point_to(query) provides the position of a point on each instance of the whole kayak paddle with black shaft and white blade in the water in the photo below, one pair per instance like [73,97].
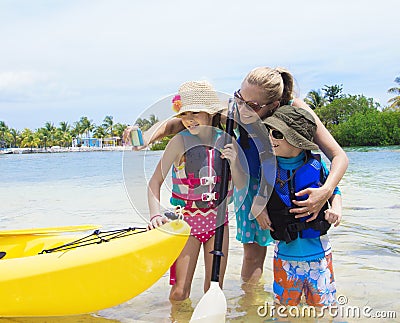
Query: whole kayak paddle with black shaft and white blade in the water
[212,307]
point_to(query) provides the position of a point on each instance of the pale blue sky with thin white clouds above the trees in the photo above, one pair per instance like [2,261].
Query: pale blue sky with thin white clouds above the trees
[61,60]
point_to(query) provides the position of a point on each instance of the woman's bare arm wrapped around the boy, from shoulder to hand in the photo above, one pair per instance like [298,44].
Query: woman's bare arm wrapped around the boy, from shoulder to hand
[339,162]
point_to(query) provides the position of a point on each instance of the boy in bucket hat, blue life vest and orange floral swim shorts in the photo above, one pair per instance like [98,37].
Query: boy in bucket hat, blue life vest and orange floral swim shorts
[302,257]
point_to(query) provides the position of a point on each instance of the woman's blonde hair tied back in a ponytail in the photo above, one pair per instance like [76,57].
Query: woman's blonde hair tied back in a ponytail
[276,82]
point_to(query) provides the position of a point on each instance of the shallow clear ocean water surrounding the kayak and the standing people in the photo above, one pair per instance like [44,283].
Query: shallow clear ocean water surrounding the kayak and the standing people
[109,188]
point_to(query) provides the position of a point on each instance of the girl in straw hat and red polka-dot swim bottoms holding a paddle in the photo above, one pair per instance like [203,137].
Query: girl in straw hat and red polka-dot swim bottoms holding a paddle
[195,156]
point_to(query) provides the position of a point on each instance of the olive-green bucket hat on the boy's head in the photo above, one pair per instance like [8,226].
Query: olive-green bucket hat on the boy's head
[296,124]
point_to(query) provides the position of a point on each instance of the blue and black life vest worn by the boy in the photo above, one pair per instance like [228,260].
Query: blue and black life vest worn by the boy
[286,226]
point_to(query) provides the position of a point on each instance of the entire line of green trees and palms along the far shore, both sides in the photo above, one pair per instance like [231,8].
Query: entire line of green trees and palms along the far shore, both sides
[353,120]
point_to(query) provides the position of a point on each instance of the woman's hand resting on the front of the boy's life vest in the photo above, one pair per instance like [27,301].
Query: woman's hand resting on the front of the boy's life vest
[317,197]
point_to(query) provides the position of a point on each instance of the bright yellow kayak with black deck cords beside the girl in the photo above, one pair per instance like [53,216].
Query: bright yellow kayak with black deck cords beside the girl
[89,273]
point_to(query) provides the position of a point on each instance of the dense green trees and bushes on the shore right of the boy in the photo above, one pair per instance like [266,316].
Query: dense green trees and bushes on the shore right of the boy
[355,120]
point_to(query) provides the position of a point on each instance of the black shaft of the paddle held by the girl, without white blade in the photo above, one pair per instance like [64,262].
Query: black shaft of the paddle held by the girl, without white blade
[222,203]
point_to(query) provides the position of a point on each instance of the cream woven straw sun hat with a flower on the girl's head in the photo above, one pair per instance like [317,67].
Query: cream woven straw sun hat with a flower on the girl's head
[196,96]
